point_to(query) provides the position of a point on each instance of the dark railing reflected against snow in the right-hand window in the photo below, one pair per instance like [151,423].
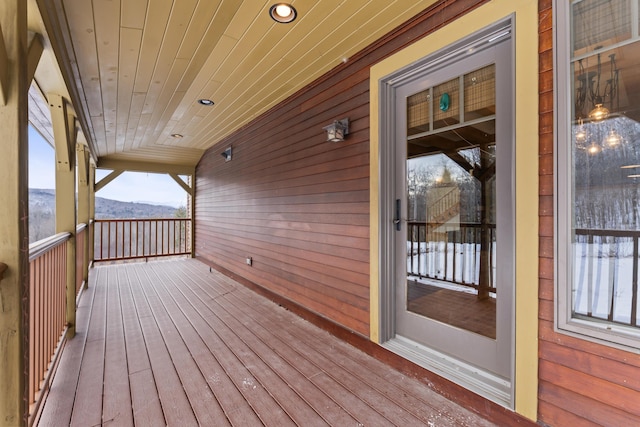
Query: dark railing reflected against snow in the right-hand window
[606,275]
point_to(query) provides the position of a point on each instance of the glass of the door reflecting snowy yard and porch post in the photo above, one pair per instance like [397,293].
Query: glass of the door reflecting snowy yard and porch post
[451,195]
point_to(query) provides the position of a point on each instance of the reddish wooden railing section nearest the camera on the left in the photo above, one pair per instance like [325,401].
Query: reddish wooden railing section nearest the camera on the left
[47,310]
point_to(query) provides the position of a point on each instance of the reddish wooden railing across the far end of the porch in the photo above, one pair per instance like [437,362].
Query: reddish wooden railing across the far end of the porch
[121,239]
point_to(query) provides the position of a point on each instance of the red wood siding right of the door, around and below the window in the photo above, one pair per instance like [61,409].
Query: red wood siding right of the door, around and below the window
[580,383]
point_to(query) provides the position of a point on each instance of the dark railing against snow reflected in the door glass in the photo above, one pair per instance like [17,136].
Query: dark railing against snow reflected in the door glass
[449,255]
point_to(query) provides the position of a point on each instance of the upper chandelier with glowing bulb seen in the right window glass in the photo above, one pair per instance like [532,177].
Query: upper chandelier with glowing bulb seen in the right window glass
[595,91]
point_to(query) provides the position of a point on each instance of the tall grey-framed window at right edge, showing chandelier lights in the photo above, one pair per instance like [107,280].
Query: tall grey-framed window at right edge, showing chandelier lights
[598,169]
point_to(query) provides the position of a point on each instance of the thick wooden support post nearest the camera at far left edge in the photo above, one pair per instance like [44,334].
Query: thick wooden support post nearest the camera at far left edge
[14,212]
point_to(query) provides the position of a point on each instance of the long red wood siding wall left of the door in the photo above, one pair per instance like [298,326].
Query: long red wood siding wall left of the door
[296,204]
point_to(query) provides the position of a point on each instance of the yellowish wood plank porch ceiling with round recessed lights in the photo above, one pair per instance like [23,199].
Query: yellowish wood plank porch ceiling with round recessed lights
[136,68]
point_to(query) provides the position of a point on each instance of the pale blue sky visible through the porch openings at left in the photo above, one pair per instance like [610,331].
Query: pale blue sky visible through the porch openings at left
[157,189]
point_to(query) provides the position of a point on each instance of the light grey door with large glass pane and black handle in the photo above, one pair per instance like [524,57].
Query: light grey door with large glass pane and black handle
[453,235]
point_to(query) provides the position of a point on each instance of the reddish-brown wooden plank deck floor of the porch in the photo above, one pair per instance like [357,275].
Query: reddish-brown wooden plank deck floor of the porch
[171,343]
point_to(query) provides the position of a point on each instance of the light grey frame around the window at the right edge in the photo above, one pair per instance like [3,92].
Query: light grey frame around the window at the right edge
[606,333]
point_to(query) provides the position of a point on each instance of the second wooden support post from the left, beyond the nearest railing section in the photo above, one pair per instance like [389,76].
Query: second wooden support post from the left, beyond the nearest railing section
[64,134]
